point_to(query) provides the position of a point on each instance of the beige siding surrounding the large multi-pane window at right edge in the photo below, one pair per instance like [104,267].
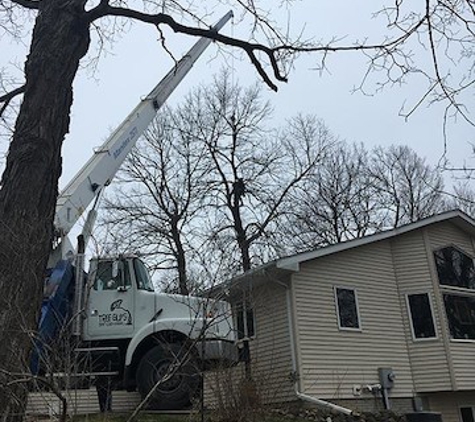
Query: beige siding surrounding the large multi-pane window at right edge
[462,353]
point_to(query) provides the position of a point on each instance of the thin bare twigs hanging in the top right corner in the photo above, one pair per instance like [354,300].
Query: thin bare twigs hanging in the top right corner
[431,43]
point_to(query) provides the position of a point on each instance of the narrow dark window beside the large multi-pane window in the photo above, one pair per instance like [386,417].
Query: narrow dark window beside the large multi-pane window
[422,319]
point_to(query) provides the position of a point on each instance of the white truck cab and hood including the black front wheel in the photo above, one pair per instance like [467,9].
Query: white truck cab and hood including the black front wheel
[141,333]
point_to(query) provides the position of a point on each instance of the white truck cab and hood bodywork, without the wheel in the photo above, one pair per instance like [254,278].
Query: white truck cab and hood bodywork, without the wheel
[122,304]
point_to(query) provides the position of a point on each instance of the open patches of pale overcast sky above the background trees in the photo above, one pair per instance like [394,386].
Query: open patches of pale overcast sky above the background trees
[137,63]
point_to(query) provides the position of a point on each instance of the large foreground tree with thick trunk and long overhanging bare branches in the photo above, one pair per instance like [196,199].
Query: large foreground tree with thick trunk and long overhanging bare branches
[61,38]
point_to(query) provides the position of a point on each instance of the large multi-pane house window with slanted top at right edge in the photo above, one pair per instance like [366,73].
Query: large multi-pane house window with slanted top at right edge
[456,272]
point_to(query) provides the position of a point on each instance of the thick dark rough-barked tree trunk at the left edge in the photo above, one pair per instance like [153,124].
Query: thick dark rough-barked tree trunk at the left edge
[30,182]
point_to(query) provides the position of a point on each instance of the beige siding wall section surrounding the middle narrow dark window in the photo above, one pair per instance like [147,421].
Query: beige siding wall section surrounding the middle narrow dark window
[428,358]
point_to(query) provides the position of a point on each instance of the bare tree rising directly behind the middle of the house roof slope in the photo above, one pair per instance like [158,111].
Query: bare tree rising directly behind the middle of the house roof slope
[336,203]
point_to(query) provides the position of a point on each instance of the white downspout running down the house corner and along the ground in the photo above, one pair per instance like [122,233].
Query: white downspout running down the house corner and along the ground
[293,352]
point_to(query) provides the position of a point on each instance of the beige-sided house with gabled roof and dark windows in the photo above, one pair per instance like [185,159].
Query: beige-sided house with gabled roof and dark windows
[387,320]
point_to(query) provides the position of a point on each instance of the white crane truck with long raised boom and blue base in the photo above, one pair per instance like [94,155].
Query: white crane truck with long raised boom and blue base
[116,325]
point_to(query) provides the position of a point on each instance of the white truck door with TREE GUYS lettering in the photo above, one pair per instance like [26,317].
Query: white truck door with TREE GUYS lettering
[111,301]
